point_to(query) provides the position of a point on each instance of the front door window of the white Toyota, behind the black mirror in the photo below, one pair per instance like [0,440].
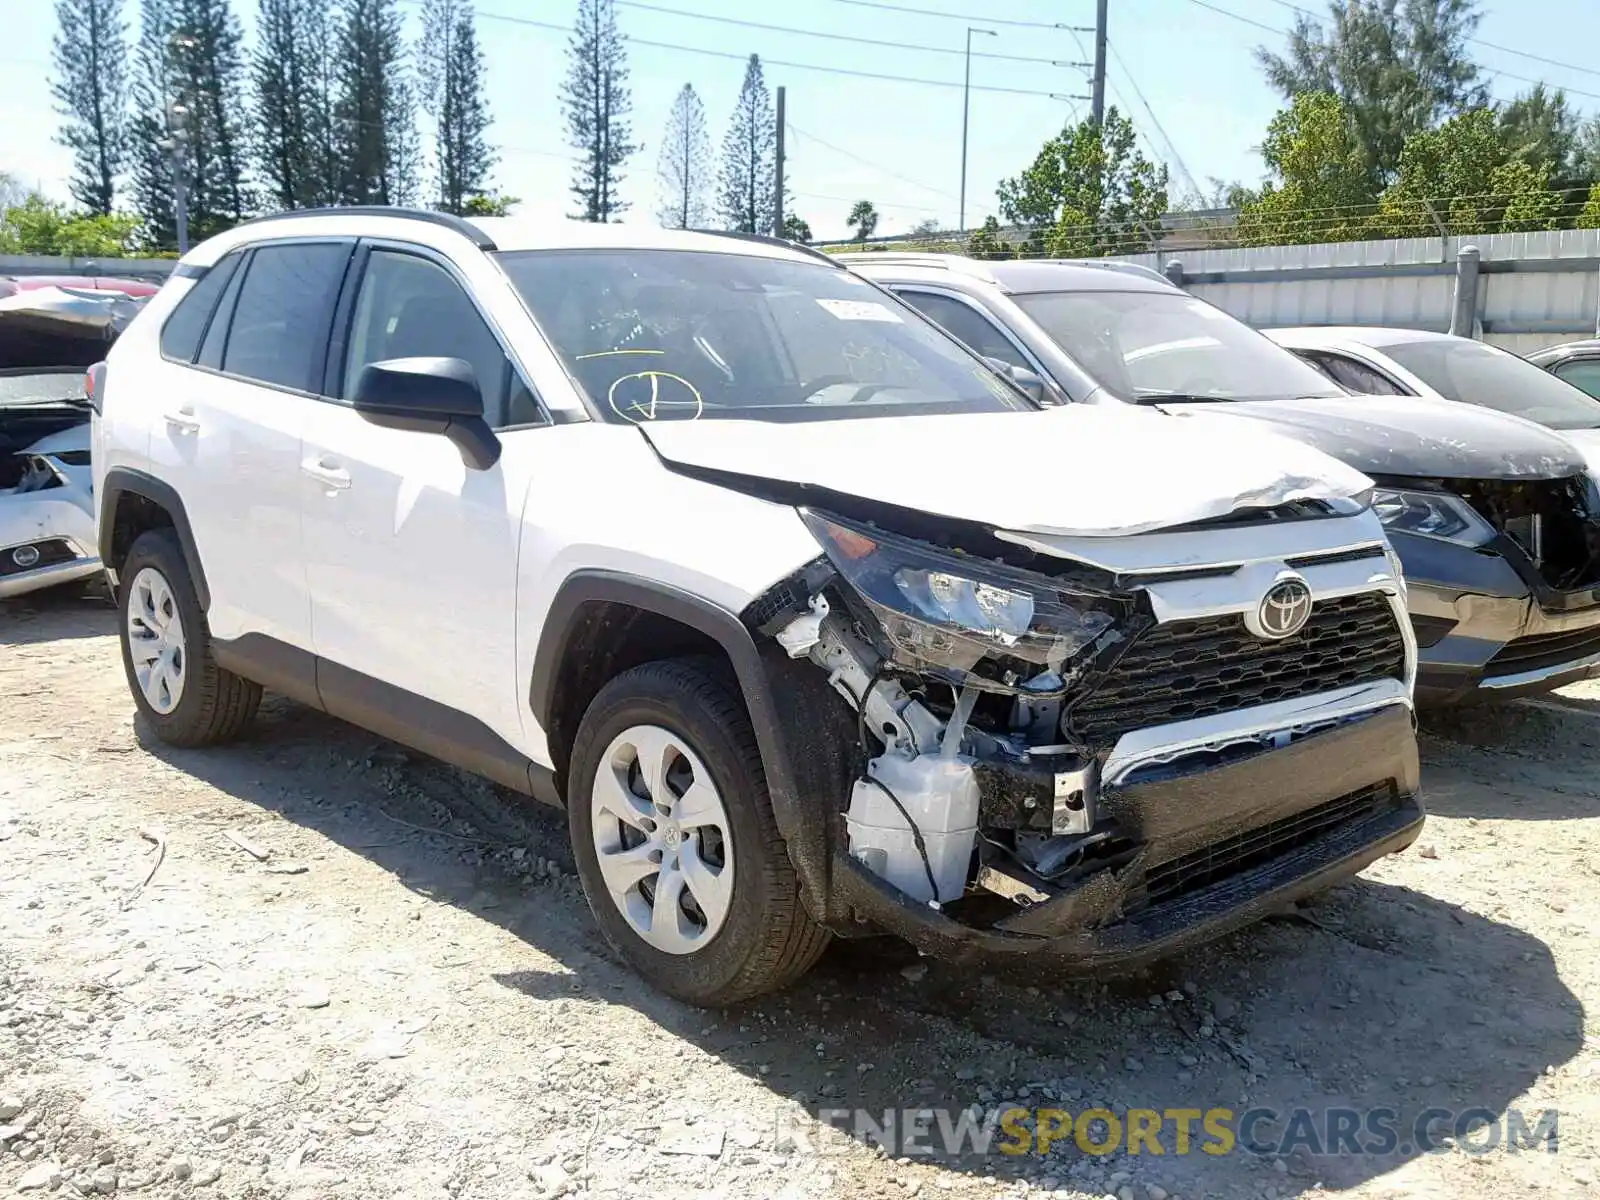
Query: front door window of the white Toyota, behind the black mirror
[410,308]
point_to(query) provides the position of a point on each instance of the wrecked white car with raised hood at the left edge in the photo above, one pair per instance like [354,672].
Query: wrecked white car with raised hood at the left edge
[49,338]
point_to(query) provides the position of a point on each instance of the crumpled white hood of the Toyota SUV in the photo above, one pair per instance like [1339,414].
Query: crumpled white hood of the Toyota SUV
[1078,470]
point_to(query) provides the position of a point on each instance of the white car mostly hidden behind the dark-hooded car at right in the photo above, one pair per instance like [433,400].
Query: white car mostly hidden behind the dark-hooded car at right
[1444,367]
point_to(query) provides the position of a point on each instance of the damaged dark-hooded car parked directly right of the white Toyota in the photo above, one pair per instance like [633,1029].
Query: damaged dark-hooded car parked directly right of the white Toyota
[1497,519]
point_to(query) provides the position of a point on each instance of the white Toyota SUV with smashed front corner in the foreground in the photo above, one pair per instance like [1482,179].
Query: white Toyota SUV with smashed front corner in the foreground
[812,623]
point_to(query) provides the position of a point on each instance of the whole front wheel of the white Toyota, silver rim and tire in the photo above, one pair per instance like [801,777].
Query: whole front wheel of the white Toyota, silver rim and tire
[676,842]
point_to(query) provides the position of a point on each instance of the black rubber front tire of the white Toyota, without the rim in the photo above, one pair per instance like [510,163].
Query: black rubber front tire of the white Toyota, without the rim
[769,940]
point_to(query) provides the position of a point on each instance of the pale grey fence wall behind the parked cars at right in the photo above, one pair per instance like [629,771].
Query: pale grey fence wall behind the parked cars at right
[1535,289]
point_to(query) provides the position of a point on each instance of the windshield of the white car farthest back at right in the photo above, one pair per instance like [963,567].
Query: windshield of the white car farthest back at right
[1474,374]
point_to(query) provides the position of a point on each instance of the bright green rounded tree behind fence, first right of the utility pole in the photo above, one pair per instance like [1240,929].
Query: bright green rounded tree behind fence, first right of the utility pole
[1319,190]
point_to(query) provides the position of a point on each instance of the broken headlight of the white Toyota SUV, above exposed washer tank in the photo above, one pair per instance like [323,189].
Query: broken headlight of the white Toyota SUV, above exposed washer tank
[948,610]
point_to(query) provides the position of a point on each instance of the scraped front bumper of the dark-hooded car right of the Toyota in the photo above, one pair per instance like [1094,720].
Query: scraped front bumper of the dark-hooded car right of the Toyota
[1482,634]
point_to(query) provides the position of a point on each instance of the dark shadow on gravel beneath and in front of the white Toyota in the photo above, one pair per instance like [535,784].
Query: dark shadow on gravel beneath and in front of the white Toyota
[1377,999]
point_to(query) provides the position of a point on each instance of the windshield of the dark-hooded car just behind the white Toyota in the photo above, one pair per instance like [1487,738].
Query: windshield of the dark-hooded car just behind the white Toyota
[1145,345]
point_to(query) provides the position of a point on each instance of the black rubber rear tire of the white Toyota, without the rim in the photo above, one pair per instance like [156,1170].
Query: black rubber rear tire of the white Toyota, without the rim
[215,705]
